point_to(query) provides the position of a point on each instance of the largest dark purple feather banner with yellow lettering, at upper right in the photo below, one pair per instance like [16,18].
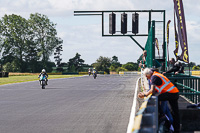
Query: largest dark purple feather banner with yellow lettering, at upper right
[178,8]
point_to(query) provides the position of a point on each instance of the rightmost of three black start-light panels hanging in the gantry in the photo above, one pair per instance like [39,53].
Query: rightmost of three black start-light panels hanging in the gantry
[135,23]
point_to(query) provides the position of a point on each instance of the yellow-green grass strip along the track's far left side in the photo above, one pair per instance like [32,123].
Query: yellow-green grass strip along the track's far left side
[19,79]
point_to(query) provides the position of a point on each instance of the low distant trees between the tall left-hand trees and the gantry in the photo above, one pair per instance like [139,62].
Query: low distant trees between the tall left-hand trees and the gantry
[106,64]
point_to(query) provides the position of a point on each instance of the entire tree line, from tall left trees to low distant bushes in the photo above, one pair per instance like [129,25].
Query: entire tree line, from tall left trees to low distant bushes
[27,44]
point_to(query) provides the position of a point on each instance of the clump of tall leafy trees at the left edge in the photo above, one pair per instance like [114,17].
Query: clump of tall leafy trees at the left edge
[26,42]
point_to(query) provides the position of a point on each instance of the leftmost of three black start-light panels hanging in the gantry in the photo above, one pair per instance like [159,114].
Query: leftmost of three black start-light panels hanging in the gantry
[112,23]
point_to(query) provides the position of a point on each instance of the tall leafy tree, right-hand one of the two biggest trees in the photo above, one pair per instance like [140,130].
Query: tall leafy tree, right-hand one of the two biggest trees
[44,36]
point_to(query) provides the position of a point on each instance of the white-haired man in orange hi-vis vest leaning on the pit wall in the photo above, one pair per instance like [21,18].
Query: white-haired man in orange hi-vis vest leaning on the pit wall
[166,91]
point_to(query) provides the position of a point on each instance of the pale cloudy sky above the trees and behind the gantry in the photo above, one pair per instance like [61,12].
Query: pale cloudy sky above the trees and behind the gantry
[83,34]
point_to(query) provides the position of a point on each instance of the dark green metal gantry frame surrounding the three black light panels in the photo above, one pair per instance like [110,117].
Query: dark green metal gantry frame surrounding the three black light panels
[102,14]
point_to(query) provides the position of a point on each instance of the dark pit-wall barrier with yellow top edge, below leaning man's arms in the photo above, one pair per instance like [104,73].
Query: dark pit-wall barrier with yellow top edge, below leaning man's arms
[146,119]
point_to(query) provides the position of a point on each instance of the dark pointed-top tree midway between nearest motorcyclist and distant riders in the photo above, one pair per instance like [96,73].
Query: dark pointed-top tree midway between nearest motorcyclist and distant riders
[75,63]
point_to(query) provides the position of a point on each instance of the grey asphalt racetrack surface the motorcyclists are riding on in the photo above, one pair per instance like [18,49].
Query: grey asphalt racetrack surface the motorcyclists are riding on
[71,105]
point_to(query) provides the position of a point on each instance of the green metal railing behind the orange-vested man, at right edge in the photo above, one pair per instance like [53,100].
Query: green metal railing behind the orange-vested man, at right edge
[187,85]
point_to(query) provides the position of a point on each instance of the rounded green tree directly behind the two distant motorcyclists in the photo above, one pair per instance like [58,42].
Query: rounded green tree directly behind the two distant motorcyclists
[102,64]
